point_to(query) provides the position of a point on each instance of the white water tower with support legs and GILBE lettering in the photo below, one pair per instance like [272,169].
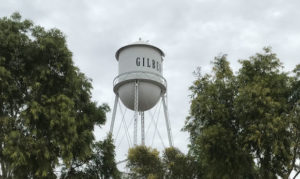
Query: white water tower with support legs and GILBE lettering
[140,83]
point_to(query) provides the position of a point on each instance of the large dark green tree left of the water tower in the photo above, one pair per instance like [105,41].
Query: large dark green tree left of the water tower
[46,112]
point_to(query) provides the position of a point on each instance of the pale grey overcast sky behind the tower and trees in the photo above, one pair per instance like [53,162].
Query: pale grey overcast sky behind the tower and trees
[191,33]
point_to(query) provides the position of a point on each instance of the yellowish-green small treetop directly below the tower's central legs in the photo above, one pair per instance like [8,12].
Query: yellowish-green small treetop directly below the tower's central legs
[144,162]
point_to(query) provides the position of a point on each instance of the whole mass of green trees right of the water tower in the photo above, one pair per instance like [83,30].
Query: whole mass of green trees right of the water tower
[245,125]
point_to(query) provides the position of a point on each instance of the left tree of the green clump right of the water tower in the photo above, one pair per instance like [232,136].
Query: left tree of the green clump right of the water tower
[213,126]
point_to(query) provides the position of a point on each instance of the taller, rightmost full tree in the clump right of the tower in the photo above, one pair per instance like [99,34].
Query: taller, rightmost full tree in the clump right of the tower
[262,105]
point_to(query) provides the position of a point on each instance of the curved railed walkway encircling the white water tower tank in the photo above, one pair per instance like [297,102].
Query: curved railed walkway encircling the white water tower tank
[140,75]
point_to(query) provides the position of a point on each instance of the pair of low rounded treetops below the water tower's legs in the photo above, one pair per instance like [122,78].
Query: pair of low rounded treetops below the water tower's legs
[145,162]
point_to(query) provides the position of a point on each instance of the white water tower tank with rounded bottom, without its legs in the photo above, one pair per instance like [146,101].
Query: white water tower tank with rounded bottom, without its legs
[140,62]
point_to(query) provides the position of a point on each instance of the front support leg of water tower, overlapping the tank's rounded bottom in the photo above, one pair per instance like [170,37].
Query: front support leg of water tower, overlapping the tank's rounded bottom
[136,108]
